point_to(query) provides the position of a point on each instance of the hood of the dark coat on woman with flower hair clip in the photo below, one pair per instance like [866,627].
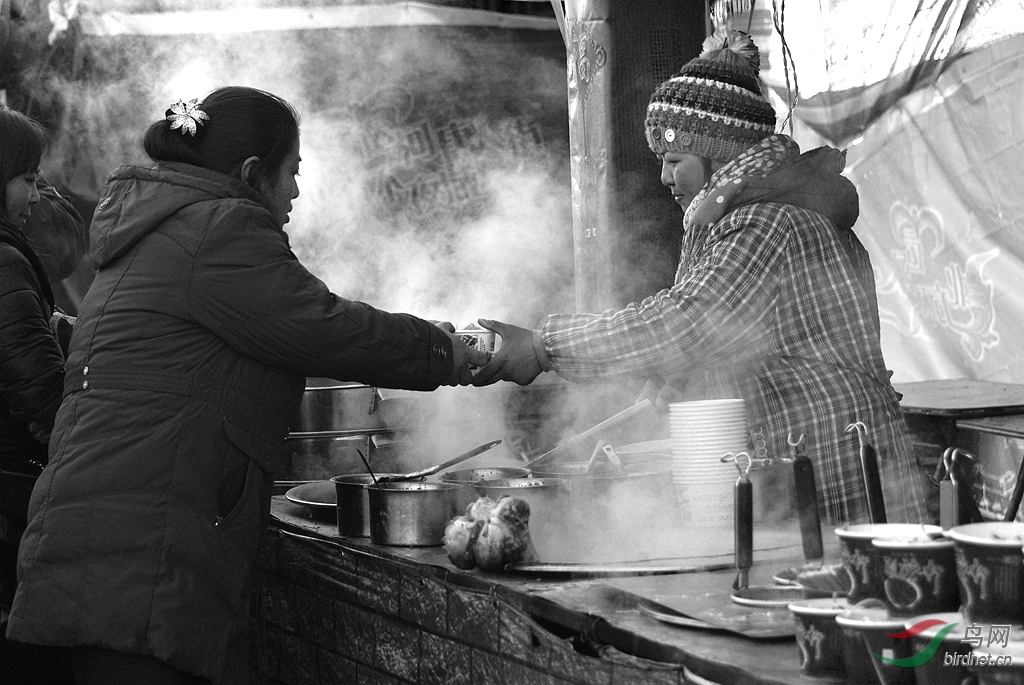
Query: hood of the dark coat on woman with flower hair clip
[140,199]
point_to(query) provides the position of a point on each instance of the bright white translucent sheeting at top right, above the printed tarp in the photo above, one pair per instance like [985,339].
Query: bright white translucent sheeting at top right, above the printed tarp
[845,63]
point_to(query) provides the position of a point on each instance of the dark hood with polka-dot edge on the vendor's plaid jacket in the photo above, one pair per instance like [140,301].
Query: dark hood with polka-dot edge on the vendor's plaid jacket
[813,181]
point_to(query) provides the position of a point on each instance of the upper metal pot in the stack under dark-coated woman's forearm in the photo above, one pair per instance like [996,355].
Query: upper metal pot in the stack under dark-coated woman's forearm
[331,406]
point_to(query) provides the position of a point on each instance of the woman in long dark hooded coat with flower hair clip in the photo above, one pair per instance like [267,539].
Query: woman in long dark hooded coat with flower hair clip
[189,361]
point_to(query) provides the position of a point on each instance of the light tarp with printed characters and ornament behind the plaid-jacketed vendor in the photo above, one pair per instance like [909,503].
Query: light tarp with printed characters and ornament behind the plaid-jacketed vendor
[943,215]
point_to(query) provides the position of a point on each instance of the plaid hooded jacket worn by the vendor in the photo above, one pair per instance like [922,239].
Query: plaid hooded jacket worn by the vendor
[774,303]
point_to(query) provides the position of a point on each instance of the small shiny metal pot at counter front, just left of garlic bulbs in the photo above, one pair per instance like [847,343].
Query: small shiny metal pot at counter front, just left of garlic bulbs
[411,515]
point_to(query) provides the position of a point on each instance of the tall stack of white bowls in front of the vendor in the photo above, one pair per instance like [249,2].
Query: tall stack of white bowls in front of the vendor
[703,433]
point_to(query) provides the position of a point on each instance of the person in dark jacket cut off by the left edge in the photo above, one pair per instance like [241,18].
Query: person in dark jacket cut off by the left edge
[31,373]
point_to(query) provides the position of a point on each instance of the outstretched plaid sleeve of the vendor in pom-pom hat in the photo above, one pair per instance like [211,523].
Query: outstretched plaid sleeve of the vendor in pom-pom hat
[718,311]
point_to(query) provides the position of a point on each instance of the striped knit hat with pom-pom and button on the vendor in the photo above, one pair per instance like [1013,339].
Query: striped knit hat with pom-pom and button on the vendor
[713,107]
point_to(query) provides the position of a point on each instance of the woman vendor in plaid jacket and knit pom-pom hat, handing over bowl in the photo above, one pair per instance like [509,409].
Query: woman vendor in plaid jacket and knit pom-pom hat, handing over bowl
[774,299]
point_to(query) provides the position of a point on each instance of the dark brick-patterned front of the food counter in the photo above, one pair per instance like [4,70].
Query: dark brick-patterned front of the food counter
[324,615]
